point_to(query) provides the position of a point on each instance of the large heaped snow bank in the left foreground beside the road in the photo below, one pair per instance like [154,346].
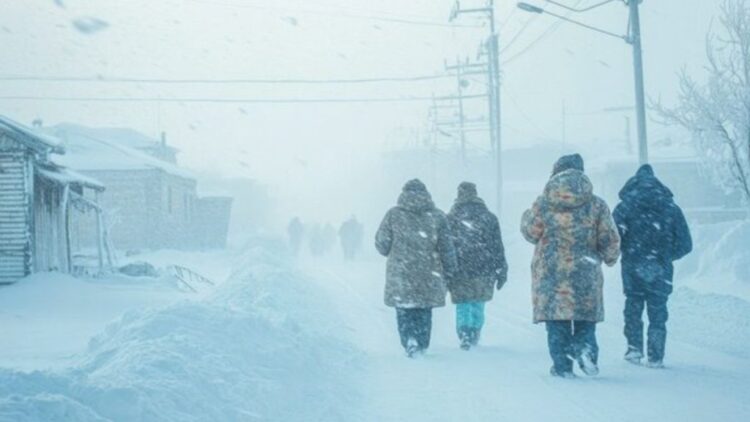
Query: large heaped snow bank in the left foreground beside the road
[264,346]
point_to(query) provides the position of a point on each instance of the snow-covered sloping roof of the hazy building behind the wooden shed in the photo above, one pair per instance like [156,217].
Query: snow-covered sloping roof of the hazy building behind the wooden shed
[93,153]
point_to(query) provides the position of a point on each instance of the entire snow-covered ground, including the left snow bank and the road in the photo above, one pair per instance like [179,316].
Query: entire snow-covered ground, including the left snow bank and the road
[283,341]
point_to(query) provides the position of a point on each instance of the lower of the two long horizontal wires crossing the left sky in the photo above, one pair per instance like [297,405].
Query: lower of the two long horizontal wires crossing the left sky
[222,100]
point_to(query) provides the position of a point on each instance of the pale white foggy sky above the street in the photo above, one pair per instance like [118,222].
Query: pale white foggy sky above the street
[324,160]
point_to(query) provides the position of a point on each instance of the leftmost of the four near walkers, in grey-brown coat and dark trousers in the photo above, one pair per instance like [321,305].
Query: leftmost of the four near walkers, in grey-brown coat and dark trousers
[415,237]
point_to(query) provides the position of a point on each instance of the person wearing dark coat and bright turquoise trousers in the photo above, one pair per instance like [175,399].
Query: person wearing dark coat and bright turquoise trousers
[481,262]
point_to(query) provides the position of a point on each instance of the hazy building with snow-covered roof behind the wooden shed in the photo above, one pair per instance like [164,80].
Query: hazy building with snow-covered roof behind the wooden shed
[151,202]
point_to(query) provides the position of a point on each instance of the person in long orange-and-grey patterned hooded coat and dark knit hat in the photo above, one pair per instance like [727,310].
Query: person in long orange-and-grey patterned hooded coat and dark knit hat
[574,233]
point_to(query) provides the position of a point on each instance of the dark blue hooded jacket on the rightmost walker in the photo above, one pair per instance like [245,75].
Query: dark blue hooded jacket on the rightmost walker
[654,234]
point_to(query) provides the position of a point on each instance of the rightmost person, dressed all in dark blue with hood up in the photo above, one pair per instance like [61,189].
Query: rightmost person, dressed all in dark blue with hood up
[654,234]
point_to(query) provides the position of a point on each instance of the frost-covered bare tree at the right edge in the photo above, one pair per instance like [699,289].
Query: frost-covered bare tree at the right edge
[717,111]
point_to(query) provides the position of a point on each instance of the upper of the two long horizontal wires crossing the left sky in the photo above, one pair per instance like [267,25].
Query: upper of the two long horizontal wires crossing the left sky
[289,81]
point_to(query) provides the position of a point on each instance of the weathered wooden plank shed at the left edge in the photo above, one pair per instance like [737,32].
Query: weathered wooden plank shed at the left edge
[38,200]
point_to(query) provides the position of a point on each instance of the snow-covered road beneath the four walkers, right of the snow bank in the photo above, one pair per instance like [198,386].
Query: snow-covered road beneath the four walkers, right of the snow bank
[507,377]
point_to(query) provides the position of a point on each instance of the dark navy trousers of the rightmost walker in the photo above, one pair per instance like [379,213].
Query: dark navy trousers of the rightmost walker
[656,308]
